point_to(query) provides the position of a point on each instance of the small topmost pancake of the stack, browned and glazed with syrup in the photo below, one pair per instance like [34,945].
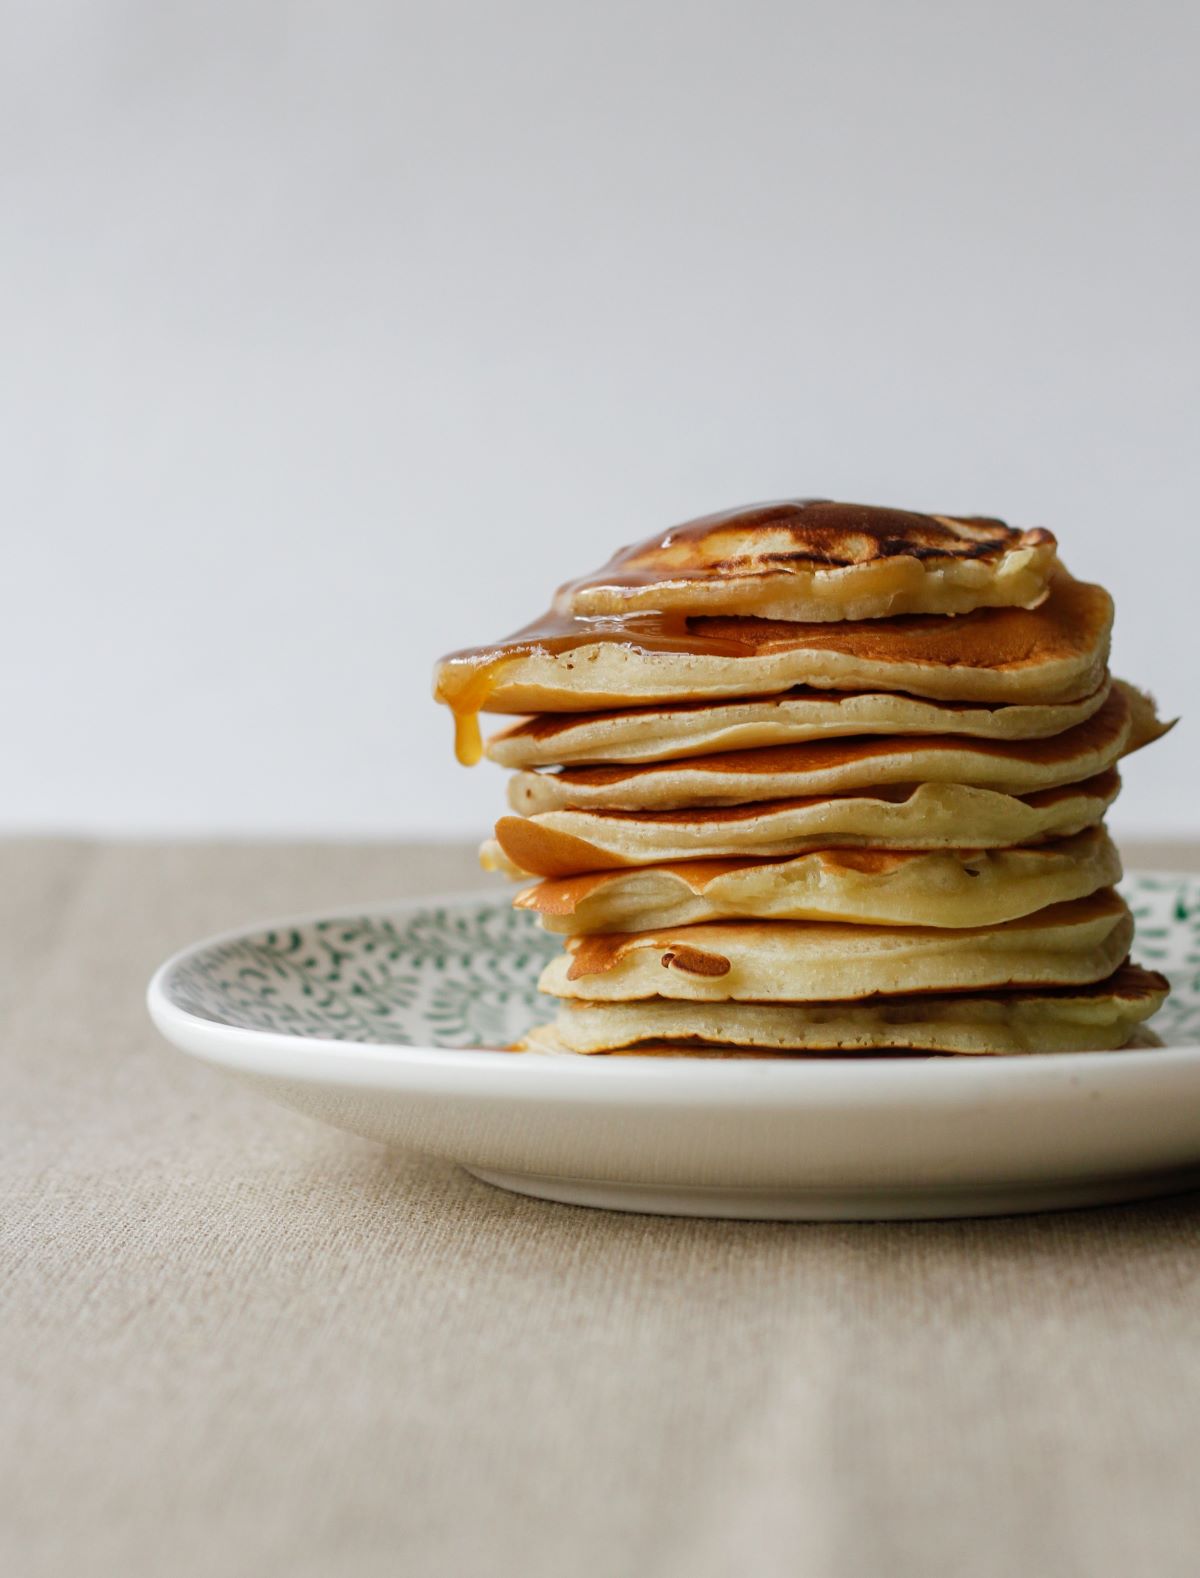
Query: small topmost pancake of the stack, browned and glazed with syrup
[817,559]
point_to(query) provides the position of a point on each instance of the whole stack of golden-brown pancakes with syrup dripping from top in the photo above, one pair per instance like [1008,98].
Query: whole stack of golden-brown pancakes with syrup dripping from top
[820,779]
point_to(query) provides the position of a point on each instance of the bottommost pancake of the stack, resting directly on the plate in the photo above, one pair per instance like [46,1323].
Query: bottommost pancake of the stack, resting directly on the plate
[1101,1017]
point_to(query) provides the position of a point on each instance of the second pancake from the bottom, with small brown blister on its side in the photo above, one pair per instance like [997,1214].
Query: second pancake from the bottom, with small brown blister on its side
[814,962]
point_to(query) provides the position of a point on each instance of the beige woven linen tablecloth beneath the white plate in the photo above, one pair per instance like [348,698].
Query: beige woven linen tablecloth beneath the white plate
[241,1344]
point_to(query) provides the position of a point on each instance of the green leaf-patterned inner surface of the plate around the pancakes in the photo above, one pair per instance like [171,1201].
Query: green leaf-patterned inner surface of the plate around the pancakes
[465,974]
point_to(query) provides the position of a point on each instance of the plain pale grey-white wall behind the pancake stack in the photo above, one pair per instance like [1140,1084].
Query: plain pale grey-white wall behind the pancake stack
[334,337]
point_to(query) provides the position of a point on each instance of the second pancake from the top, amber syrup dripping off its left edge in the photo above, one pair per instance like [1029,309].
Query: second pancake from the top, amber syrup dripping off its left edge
[564,664]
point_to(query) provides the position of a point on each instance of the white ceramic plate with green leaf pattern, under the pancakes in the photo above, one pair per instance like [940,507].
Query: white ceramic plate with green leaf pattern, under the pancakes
[370,1020]
